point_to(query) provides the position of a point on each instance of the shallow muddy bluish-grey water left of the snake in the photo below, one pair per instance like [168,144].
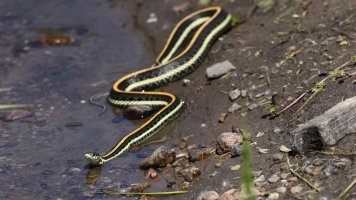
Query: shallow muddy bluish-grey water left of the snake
[41,157]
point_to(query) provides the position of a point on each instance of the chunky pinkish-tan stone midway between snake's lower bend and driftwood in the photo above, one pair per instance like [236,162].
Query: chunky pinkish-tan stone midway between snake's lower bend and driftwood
[226,140]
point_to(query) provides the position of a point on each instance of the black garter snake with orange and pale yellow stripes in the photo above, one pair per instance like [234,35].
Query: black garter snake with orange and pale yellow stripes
[186,48]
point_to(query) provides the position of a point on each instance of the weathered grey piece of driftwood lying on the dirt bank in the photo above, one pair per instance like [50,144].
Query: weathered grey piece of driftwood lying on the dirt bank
[325,130]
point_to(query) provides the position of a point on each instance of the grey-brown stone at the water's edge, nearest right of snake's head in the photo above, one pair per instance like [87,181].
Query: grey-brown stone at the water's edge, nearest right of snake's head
[159,158]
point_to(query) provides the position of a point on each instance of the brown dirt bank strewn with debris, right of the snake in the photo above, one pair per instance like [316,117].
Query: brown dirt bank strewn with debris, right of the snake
[323,31]
